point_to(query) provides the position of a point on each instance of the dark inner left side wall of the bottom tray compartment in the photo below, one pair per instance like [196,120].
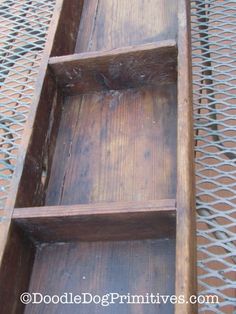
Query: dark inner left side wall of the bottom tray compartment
[16,267]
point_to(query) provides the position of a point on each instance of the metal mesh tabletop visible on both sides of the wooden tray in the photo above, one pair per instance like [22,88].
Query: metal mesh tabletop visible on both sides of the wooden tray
[24,25]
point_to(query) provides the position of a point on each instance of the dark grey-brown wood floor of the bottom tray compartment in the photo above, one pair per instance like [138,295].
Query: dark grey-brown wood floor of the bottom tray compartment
[135,267]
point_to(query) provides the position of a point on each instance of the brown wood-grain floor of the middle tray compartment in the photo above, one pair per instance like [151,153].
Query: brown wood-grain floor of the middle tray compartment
[120,146]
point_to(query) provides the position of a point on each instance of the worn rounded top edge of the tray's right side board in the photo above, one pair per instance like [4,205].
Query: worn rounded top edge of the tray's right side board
[186,283]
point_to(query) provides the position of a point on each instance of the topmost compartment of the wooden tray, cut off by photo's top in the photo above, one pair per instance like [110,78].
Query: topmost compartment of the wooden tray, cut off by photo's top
[110,24]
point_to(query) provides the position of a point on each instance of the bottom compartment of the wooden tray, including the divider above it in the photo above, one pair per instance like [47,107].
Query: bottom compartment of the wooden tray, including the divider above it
[126,247]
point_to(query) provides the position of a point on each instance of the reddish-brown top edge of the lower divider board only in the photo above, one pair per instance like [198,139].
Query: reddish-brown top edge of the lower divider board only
[167,205]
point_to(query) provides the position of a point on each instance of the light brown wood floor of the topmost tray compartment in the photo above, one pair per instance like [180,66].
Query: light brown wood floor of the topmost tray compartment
[110,24]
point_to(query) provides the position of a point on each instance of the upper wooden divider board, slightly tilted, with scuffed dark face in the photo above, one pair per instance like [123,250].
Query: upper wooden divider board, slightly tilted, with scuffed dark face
[128,67]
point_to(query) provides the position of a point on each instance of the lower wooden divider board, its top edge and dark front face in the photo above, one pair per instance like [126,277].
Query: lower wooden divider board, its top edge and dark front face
[94,222]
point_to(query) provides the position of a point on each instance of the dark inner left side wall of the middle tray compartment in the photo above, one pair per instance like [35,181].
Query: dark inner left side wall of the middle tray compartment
[37,165]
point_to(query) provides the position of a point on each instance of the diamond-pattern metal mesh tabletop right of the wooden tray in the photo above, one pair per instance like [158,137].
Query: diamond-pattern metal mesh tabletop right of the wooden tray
[214,79]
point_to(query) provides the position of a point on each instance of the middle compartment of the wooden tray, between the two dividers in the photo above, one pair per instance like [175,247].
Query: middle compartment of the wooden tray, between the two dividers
[108,145]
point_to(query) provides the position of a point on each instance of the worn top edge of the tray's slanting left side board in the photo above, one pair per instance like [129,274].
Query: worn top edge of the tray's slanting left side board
[8,208]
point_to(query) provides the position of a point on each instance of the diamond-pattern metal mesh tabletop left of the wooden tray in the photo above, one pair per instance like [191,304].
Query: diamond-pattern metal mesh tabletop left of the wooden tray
[24,25]
